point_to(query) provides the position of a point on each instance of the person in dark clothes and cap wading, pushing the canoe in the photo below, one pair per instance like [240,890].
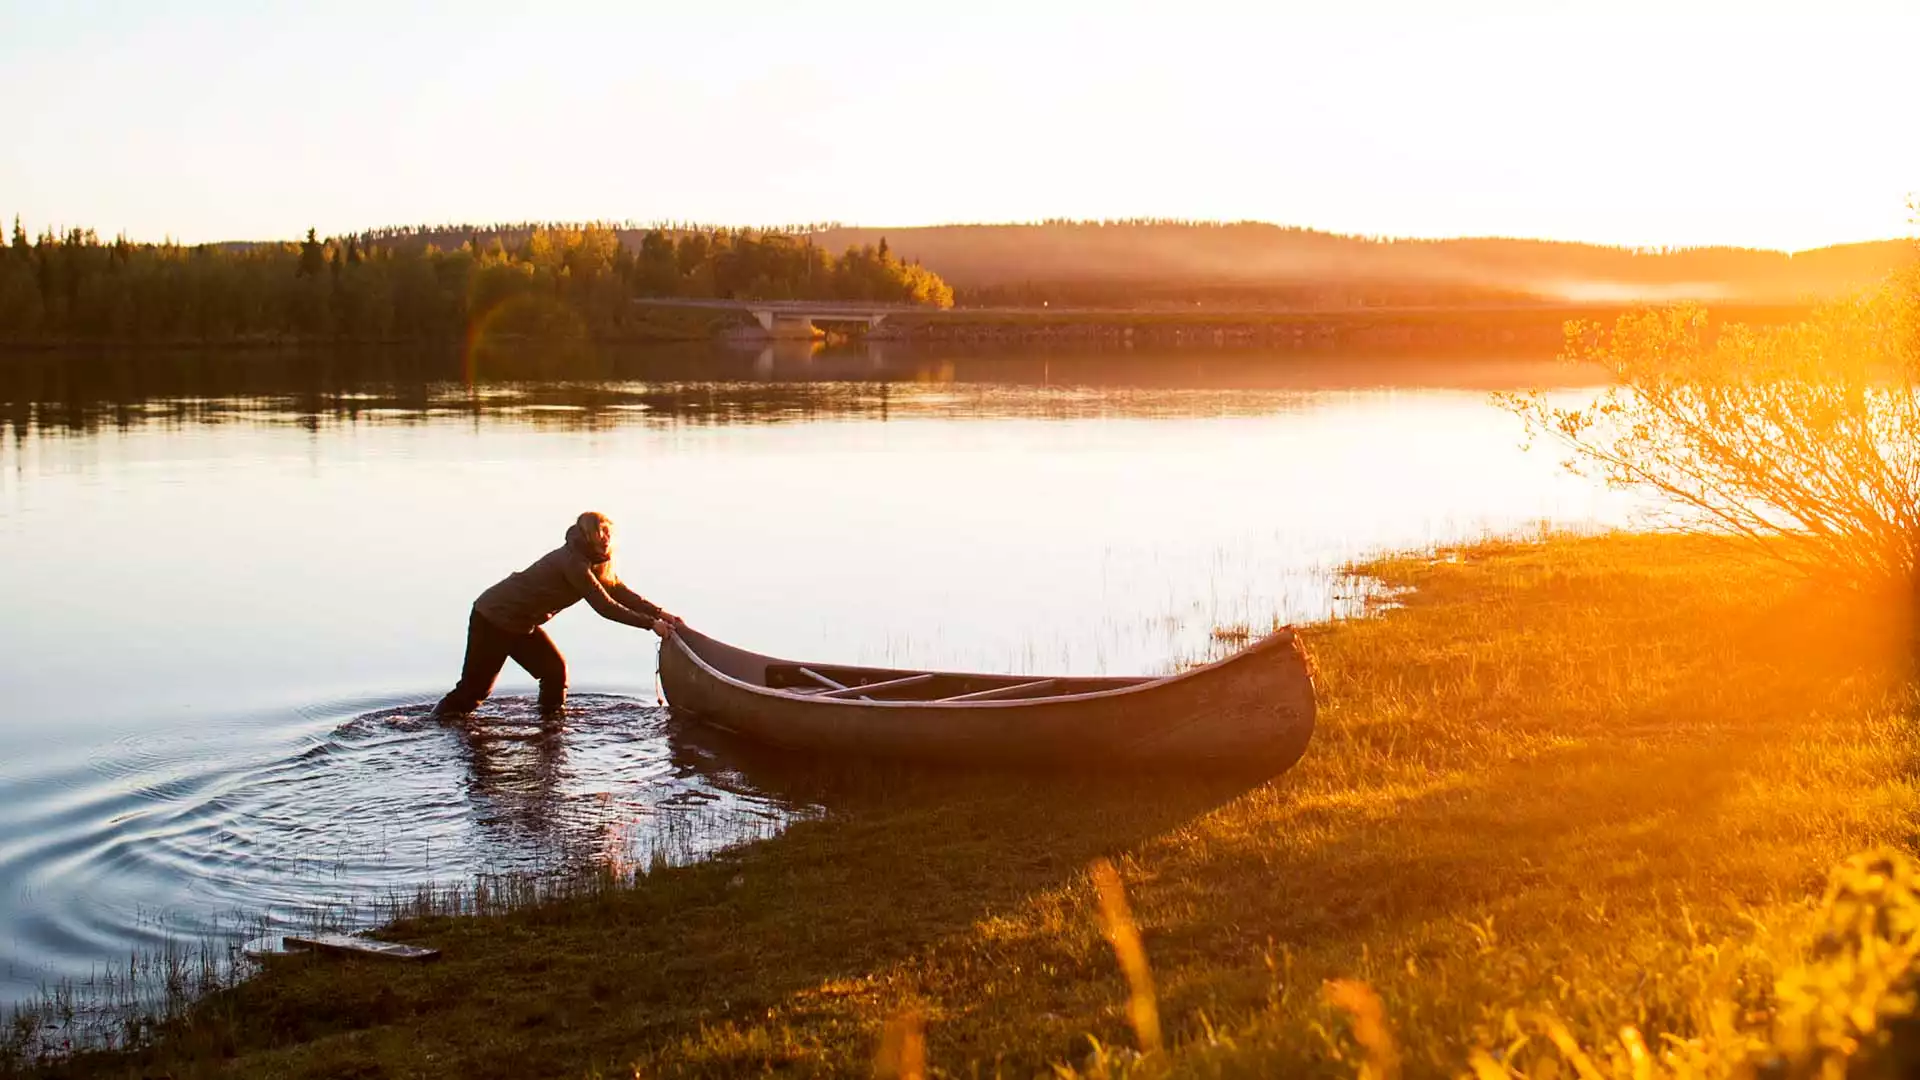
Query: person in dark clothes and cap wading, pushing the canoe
[506,620]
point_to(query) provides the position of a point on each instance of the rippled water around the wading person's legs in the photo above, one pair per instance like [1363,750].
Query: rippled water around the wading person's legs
[204,831]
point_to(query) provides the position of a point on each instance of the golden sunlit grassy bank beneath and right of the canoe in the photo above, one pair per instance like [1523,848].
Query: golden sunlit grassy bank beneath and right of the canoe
[1598,781]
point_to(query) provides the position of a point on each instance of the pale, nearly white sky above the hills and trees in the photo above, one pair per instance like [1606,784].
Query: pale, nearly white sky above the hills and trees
[1785,126]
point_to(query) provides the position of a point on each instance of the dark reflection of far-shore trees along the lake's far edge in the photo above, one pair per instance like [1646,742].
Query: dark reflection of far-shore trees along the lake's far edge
[681,385]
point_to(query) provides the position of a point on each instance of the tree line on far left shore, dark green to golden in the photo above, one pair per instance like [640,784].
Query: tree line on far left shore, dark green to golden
[546,282]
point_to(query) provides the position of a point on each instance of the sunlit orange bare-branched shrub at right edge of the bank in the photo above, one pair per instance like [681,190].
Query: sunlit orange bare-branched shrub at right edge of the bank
[1802,439]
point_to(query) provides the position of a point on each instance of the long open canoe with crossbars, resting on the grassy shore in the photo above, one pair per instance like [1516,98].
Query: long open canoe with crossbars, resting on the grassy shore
[1253,710]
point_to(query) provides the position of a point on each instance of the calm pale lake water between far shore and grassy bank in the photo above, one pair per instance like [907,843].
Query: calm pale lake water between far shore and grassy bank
[233,587]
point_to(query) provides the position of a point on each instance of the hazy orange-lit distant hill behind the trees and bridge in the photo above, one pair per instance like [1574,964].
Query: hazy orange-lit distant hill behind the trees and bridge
[1172,264]
